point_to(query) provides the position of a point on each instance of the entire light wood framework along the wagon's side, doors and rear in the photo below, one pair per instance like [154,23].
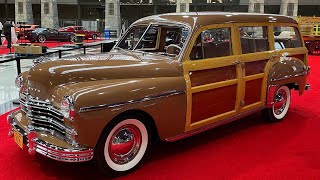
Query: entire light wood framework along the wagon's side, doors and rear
[240,60]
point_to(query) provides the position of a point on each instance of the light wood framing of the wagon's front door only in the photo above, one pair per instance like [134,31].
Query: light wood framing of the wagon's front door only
[210,63]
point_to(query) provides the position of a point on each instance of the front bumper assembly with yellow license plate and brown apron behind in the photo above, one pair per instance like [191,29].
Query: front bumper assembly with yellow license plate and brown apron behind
[45,143]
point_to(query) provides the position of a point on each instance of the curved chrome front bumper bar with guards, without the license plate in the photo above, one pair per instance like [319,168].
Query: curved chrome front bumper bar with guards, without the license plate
[49,150]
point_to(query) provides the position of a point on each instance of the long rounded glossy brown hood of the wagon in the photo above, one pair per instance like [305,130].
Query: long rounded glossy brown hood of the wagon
[46,77]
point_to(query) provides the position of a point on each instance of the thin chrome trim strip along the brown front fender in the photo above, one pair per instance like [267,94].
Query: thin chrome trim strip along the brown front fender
[147,98]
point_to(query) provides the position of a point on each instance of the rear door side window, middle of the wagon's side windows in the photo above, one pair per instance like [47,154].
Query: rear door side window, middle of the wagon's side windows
[254,39]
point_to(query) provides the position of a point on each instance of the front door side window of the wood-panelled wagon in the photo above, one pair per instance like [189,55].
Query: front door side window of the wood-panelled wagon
[212,43]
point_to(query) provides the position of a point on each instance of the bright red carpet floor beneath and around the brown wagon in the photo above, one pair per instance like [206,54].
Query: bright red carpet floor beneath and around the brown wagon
[245,149]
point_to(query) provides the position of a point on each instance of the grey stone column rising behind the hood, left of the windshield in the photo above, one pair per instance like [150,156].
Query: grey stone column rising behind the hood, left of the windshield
[112,16]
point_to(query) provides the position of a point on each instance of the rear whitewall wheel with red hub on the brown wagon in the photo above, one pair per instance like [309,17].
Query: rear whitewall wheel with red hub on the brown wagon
[280,107]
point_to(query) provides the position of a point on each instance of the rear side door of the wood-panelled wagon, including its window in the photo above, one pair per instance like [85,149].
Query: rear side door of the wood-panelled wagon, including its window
[255,48]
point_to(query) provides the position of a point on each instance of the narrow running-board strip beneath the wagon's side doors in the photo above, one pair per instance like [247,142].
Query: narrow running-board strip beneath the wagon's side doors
[205,128]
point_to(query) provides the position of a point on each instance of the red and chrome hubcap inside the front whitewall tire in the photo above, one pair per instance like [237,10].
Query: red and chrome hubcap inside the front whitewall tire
[124,144]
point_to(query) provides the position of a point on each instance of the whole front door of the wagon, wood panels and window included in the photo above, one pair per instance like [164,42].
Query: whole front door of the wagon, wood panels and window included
[212,70]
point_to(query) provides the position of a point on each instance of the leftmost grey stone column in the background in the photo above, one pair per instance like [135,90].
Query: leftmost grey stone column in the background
[25,13]
